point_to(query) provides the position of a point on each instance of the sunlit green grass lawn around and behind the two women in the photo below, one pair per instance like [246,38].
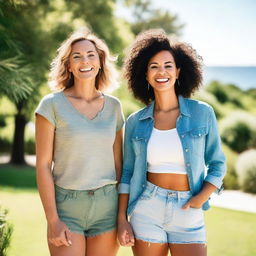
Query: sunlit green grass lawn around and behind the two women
[230,233]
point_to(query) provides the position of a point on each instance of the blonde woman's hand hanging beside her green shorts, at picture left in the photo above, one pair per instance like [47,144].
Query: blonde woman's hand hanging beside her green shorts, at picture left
[58,233]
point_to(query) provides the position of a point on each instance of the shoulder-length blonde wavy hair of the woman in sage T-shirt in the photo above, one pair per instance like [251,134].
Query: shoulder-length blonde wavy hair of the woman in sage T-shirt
[60,78]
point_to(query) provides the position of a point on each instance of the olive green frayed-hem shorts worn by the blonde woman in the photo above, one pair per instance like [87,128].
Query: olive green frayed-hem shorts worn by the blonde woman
[88,212]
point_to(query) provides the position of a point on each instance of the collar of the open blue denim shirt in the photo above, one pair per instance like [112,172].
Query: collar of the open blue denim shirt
[149,110]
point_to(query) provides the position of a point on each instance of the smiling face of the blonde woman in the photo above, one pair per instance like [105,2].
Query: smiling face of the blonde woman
[84,61]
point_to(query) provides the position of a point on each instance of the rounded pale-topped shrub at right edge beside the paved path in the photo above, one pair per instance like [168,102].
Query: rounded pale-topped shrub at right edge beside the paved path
[246,170]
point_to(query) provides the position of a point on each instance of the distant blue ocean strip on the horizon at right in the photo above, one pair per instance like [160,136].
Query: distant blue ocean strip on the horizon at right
[243,77]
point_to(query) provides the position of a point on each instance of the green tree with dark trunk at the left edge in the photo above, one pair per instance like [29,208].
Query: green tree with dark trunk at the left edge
[21,25]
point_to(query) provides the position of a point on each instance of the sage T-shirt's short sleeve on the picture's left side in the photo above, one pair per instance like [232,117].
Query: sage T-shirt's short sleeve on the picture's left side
[46,109]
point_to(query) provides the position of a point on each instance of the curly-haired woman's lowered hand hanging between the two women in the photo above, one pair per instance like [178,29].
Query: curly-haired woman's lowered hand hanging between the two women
[125,233]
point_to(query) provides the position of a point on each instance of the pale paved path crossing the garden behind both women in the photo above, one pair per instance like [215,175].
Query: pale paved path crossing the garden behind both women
[231,199]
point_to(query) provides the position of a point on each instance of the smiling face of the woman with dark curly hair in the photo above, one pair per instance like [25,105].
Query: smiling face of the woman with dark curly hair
[162,71]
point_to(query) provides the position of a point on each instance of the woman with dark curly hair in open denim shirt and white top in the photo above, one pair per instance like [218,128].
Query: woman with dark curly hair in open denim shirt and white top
[173,160]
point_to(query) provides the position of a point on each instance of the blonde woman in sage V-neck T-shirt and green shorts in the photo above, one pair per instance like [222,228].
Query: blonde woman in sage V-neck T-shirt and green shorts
[78,145]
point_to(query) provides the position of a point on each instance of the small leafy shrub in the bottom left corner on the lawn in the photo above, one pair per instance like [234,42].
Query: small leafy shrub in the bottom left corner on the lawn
[5,232]
